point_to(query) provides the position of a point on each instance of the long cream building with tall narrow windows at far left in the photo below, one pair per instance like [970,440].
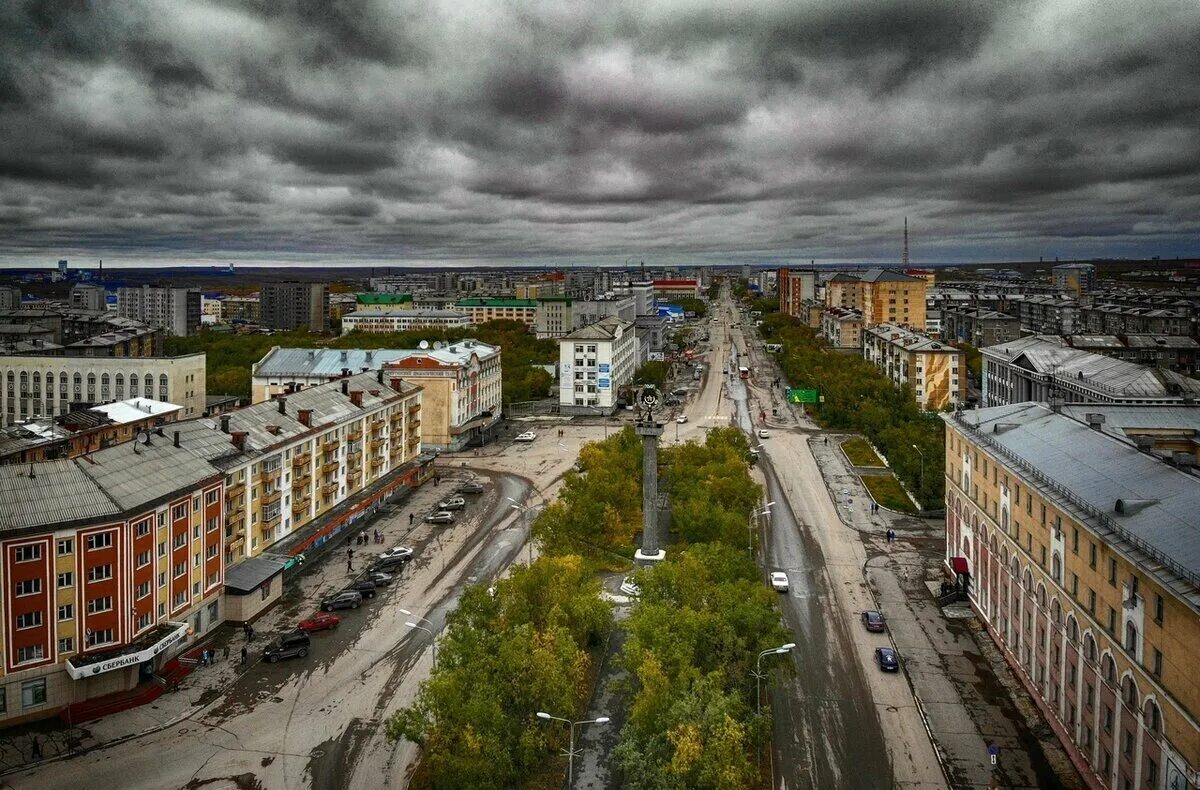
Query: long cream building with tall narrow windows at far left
[35,387]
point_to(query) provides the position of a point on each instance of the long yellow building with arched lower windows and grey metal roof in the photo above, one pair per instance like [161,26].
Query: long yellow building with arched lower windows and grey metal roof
[1079,554]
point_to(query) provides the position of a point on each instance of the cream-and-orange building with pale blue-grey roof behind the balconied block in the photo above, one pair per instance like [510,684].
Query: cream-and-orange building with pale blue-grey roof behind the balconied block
[461,404]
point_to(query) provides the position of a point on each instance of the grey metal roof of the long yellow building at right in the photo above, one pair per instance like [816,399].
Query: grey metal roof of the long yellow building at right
[1090,470]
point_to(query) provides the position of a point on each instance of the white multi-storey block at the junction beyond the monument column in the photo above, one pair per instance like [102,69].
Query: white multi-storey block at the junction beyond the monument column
[595,363]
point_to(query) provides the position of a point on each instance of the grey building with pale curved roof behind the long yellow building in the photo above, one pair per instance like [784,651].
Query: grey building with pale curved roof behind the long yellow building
[1042,368]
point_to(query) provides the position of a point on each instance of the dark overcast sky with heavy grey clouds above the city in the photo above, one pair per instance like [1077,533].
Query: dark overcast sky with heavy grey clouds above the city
[460,131]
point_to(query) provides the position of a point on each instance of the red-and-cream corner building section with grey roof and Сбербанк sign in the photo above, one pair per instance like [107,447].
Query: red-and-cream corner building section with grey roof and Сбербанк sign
[111,566]
